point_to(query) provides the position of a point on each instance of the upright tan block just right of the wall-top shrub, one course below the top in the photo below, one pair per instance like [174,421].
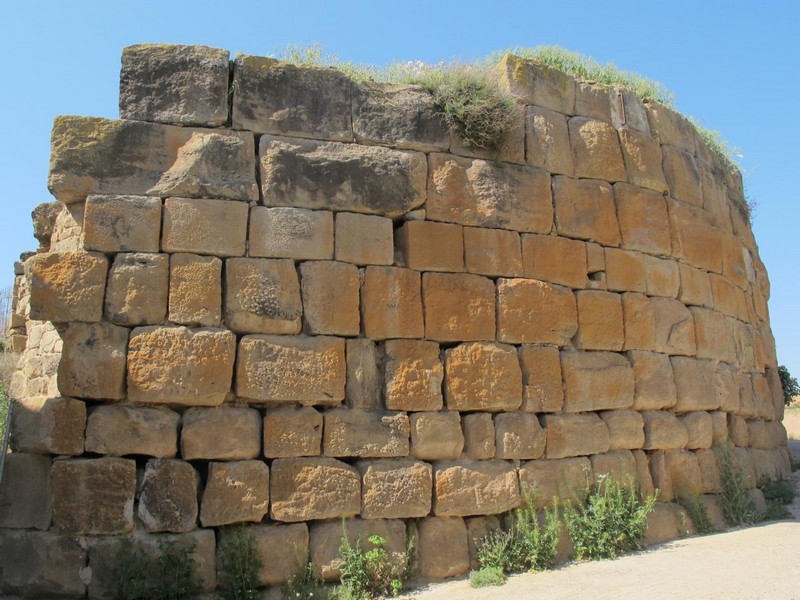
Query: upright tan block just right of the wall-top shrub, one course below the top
[547,141]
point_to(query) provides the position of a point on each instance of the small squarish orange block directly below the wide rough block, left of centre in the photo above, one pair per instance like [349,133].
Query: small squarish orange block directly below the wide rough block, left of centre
[292,431]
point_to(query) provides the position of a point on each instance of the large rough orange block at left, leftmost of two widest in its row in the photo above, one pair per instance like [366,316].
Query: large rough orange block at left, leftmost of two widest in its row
[177,365]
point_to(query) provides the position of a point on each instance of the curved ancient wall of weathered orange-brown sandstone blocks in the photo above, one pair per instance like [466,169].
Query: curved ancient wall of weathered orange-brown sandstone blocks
[271,295]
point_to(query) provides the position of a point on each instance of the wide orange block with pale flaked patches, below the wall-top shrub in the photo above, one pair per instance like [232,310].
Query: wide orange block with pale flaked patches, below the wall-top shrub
[481,193]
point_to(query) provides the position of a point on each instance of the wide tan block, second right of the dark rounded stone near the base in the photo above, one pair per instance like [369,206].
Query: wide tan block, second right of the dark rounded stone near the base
[313,488]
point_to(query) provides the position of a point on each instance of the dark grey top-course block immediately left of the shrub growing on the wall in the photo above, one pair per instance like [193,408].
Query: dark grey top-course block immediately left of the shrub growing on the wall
[402,116]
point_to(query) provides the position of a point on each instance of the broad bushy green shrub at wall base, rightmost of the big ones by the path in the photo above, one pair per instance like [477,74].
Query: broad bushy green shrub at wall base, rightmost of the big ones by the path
[612,519]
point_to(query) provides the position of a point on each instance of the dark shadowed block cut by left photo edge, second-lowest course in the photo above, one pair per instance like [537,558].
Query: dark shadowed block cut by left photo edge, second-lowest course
[25,493]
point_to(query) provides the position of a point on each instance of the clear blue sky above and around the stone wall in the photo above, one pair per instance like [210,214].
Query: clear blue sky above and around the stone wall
[732,64]
